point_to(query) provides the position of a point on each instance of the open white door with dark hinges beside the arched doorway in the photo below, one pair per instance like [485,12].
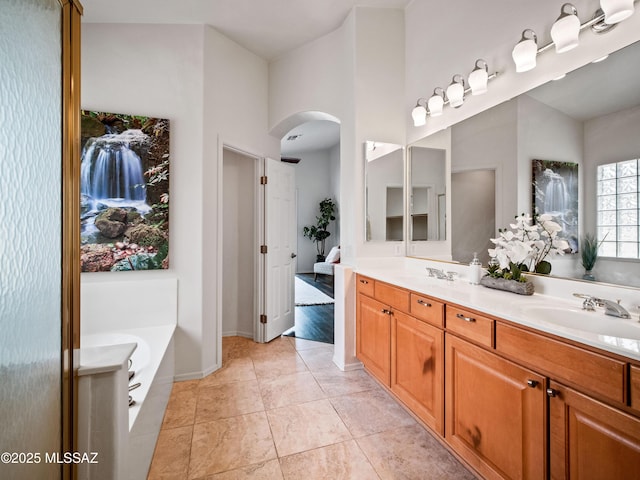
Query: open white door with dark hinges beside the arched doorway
[280,239]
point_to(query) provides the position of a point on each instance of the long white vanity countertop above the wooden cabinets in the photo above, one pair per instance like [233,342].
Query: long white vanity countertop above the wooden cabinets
[515,308]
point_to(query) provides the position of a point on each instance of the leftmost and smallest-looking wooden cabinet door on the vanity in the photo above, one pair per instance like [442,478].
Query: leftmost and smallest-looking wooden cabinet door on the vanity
[373,337]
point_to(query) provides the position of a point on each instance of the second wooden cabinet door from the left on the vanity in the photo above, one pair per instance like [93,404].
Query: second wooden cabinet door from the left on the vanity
[417,368]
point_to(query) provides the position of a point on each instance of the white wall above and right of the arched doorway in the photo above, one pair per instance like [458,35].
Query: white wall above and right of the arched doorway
[340,74]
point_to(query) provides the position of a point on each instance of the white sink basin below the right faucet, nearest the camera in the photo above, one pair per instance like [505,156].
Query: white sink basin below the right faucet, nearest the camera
[584,321]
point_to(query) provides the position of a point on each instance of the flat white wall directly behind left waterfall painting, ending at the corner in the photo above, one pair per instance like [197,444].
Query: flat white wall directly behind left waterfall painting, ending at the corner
[157,71]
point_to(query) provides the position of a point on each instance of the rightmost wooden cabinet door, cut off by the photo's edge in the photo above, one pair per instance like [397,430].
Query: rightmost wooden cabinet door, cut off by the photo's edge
[591,440]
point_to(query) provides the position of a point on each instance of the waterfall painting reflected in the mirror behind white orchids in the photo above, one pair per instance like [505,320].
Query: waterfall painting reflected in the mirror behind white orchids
[555,192]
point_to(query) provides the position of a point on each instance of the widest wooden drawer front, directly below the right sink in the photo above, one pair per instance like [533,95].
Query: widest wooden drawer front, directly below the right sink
[588,370]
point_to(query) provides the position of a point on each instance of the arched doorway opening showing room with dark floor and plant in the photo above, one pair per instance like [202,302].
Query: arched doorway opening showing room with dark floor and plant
[315,147]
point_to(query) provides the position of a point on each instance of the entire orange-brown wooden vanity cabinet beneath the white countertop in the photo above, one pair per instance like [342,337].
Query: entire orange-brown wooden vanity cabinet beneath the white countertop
[513,402]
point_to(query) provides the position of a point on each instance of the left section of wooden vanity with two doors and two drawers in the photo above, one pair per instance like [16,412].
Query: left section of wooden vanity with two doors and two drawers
[403,350]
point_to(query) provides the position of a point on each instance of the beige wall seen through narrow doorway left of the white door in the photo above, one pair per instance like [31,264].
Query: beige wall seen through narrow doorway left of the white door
[239,244]
